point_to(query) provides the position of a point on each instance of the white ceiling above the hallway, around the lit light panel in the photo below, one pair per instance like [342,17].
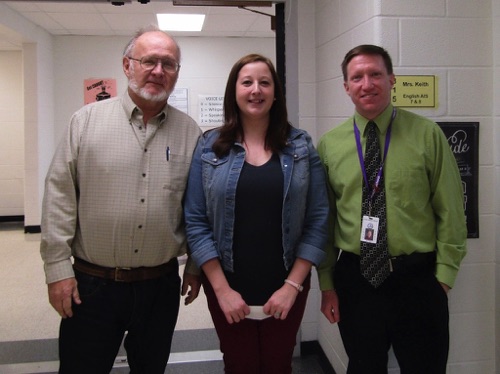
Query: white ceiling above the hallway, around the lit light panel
[100,17]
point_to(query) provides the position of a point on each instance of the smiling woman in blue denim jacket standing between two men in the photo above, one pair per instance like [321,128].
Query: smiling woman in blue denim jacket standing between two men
[256,212]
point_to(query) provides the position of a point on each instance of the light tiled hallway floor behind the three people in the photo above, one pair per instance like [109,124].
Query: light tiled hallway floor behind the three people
[29,325]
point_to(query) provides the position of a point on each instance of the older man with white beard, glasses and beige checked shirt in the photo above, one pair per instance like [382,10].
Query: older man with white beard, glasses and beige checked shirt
[112,223]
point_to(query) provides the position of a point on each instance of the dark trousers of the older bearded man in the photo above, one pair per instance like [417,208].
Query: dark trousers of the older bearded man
[89,341]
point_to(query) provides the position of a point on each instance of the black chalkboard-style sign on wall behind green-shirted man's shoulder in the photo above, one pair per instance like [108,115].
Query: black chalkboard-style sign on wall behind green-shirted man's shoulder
[463,138]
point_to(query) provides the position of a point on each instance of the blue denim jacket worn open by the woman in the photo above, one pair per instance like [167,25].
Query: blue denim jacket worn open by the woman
[209,205]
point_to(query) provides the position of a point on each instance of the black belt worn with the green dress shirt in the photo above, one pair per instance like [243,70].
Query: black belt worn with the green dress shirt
[414,262]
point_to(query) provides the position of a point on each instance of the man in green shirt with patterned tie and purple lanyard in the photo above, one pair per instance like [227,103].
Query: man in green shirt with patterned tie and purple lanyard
[426,229]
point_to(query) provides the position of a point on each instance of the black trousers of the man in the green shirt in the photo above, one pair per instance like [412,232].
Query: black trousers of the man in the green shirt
[408,311]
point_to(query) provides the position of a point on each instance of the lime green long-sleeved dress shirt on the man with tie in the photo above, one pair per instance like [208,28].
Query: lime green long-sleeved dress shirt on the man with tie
[424,196]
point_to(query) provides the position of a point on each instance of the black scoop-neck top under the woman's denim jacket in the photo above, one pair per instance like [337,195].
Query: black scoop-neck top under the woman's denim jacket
[259,268]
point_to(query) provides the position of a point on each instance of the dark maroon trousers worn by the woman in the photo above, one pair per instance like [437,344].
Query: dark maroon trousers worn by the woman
[257,346]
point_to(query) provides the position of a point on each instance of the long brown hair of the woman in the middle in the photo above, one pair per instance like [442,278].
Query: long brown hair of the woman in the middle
[232,131]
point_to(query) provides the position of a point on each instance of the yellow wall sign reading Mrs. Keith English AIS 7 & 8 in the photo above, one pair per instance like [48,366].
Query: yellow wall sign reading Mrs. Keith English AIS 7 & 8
[417,91]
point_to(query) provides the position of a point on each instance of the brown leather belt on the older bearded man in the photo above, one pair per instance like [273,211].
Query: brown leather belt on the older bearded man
[123,274]
